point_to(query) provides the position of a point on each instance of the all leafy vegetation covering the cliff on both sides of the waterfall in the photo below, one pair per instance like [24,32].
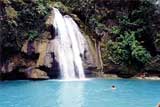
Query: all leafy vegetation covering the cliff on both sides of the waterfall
[125,31]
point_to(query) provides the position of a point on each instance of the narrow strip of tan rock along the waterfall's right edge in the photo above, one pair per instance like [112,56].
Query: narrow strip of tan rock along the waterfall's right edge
[92,62]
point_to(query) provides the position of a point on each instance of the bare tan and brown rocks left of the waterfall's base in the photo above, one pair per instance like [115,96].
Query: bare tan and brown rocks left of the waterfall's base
[25,65]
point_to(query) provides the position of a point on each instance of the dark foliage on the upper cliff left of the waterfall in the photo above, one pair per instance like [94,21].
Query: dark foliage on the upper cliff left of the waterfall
[23,17]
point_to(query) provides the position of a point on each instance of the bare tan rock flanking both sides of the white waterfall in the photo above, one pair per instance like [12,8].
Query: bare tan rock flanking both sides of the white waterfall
[37,58]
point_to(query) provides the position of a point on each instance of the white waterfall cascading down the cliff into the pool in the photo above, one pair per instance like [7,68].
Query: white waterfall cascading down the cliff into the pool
[70,45]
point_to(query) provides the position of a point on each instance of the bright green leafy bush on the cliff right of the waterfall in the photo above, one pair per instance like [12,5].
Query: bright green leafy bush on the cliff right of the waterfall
[126,50]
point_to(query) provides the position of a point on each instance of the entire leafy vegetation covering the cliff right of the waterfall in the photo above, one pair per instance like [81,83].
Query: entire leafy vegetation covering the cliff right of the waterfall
[127,30]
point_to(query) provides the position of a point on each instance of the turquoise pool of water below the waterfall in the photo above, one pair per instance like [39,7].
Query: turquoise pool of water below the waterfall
[88,93]
